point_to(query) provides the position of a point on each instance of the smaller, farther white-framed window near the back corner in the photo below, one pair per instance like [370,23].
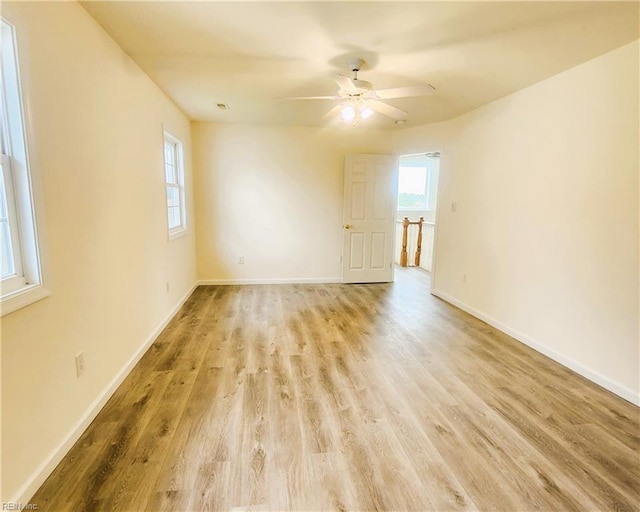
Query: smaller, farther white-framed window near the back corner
[174,177]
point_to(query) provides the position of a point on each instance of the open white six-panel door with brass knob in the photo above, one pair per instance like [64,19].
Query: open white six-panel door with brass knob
[368,219]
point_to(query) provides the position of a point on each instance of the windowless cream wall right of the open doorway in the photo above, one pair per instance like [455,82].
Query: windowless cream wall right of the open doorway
[546,228]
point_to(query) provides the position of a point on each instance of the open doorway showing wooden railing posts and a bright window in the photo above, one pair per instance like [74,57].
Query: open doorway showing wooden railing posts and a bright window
[418,176]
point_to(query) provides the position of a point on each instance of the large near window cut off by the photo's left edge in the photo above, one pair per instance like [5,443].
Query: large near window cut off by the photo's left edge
[20,278]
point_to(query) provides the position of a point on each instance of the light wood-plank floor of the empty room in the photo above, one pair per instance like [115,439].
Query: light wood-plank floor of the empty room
[348,397]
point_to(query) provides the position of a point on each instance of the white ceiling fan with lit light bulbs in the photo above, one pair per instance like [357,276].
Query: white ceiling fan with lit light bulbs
[360,100]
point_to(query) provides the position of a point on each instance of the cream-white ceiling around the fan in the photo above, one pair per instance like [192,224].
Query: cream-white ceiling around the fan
[248,54]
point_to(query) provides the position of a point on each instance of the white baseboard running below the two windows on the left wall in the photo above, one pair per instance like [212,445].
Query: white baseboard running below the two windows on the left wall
[42,472]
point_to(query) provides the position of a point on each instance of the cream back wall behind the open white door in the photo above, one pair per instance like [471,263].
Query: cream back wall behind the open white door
[273,195]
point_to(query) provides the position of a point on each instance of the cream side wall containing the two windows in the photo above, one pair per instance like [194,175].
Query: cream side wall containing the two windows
[96,122]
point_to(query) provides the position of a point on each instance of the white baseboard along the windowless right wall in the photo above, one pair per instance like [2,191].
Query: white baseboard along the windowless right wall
[564,360]
